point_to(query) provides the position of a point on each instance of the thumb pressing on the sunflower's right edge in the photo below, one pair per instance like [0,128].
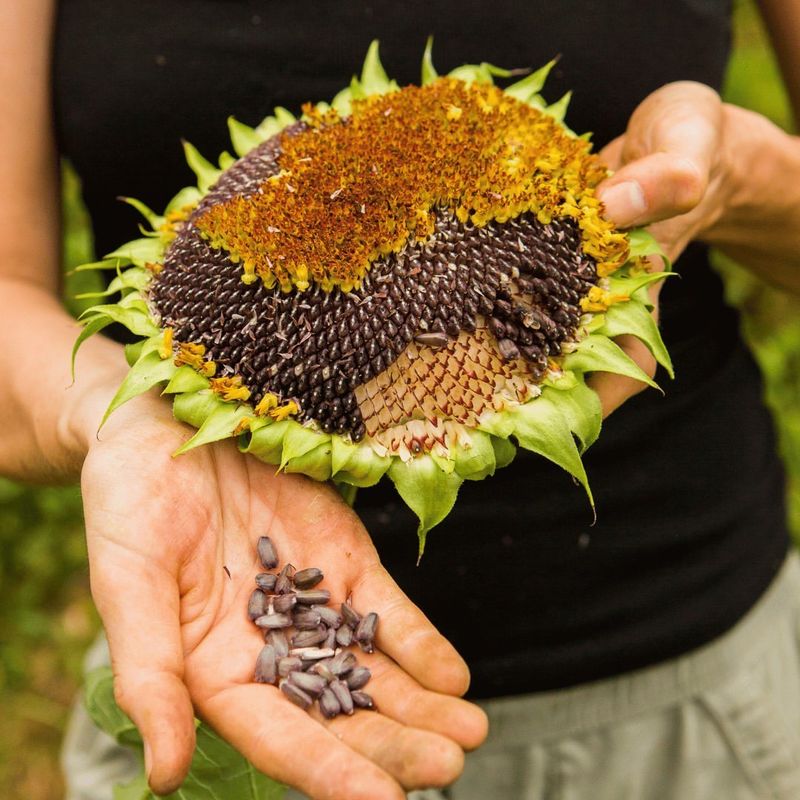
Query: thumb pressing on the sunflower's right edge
[666,157]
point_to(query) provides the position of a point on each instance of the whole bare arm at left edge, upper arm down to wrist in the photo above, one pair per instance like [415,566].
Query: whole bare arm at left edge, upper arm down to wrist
[46,425]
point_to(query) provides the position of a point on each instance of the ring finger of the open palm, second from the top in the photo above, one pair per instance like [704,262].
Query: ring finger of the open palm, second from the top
[400,697]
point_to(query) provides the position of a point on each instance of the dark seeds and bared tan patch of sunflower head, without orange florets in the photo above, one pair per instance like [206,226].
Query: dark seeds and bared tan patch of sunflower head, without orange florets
[438,328]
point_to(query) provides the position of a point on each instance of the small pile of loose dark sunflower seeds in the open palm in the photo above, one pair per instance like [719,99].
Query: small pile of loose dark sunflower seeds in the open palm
[305,651]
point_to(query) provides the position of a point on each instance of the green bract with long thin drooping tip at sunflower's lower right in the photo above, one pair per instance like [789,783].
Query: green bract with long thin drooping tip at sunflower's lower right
[541,427]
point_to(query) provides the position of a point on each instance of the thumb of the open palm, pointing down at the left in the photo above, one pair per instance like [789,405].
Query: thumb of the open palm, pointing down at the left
[138,603]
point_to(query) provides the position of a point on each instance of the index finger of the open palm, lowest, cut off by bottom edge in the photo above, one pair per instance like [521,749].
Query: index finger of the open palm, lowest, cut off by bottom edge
[289,745]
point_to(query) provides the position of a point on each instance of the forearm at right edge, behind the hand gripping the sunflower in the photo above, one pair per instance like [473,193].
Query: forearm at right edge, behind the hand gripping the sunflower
[760,222]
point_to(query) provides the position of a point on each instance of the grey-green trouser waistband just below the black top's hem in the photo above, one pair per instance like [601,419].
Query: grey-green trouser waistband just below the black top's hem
[568,711]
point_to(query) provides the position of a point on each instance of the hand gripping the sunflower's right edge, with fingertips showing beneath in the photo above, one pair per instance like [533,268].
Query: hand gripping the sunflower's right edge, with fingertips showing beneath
[670,174]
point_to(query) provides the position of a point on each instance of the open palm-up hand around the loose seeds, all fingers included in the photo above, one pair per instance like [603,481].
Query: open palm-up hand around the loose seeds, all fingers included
[160,533]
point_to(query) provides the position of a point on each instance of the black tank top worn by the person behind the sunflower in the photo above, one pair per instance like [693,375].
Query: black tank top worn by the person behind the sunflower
[690,493]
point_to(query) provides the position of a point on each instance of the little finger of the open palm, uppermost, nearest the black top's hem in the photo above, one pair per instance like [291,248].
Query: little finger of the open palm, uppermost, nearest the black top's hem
[406,635]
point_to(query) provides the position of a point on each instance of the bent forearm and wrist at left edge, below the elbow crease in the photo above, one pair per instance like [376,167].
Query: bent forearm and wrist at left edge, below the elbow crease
[48,421]
